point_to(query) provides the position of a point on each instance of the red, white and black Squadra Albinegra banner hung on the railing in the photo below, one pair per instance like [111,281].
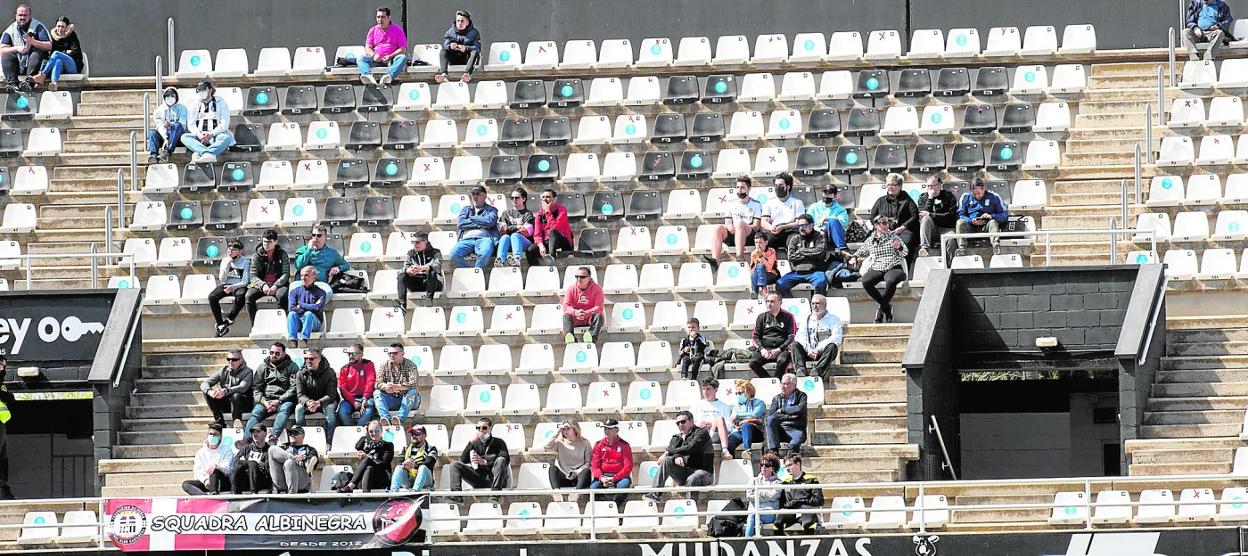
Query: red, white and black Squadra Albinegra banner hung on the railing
[140,525]
